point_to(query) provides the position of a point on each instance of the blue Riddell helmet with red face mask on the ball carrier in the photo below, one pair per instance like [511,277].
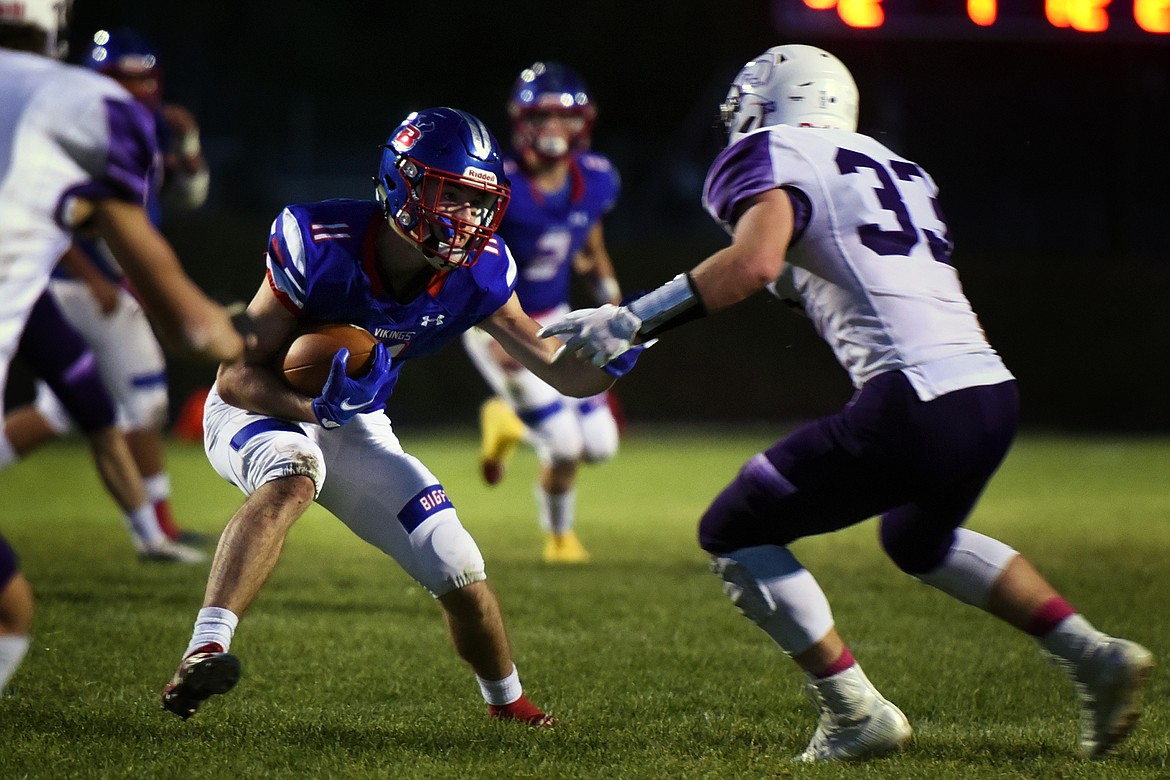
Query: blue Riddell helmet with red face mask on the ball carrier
[438,168]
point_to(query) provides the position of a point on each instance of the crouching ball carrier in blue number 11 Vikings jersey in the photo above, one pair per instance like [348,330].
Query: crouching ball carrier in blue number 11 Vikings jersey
[417,267]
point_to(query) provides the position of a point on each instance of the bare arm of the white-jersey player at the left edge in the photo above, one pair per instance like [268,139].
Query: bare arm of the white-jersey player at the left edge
[189,321]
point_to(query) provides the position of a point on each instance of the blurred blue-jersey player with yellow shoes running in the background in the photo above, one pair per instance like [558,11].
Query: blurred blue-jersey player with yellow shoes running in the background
[561,192]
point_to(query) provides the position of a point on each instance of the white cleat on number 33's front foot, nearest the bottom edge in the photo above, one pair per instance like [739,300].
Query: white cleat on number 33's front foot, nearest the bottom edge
[857,723]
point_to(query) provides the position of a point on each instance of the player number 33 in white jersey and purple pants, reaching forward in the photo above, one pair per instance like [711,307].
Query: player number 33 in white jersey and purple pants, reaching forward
[854,233]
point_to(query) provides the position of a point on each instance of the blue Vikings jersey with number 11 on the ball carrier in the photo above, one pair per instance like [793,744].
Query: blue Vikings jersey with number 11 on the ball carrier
[321,266]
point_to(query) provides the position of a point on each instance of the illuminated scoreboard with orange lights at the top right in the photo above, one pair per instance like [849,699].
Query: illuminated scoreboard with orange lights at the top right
[1116,20]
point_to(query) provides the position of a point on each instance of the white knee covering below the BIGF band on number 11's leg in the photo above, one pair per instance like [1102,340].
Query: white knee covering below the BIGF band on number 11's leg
[445,556]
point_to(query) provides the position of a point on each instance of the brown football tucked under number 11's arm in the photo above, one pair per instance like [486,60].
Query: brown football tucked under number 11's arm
[306,362]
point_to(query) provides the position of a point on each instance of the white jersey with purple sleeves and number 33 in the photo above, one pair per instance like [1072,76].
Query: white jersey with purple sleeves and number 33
[870,260]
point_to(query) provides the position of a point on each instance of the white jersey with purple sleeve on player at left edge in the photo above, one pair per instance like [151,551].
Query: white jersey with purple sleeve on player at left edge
[66,134]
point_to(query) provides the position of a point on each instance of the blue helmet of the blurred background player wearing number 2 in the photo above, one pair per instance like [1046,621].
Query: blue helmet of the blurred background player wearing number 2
[545,91]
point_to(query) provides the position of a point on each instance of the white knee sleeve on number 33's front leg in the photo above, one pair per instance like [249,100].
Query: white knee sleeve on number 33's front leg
[774,591]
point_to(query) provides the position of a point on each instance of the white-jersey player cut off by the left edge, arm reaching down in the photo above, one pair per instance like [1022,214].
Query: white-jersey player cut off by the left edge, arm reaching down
[75,154]
